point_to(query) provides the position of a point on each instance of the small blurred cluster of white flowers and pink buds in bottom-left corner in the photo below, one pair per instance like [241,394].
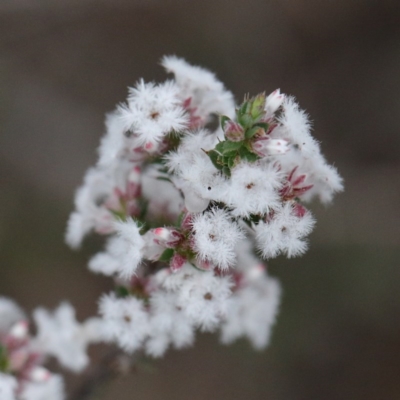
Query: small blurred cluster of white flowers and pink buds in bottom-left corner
[22,374]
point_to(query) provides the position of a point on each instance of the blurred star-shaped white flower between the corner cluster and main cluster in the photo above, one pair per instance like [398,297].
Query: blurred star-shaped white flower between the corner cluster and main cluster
[61,336]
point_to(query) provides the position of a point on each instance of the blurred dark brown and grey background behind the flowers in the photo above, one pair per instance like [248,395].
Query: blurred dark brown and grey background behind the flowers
[63,64]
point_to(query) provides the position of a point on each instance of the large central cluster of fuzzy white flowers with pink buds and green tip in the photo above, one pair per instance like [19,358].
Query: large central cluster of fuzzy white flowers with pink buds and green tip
[189,211]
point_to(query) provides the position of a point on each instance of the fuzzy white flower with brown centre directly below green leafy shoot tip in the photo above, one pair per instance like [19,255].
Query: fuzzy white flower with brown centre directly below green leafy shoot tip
[253,189]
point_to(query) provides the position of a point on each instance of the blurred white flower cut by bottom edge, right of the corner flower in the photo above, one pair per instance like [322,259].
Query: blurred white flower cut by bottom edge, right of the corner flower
[50,389]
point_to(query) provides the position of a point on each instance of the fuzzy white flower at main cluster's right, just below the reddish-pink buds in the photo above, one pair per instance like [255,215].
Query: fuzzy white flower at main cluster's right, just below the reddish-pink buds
[284,232]
